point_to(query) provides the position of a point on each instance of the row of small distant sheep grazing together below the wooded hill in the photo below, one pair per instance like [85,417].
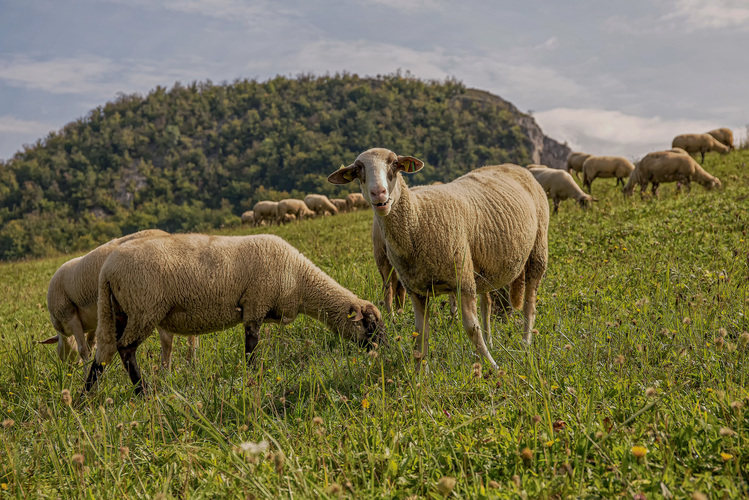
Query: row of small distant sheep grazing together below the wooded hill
[290,209]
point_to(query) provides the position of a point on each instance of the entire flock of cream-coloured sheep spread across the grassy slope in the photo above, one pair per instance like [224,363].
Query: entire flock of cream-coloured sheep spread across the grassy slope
[477,236]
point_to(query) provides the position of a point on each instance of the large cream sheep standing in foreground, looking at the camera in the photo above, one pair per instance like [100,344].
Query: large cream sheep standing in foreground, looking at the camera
[478,233]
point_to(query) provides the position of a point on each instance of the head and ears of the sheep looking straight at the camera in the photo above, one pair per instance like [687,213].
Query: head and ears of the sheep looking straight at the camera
[377,170]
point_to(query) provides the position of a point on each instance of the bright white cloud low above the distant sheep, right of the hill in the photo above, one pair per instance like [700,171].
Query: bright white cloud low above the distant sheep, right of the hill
[599,131]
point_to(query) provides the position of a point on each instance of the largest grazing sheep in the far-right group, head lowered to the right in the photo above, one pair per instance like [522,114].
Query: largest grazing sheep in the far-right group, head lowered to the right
[668,166]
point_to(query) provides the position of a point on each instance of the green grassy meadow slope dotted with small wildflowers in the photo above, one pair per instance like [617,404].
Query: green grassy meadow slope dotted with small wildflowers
[635,385]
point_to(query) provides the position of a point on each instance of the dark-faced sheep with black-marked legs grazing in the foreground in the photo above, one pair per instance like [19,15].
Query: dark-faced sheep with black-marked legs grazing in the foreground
[193,284]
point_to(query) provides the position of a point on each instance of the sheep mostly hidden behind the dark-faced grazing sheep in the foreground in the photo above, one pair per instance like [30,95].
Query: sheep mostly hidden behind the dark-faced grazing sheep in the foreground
[72,296]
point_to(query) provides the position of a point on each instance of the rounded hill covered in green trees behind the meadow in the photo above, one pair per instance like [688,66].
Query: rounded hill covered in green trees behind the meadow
[193,157]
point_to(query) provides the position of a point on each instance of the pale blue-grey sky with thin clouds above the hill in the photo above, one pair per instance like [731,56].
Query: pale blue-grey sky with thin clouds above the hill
[618,78]
